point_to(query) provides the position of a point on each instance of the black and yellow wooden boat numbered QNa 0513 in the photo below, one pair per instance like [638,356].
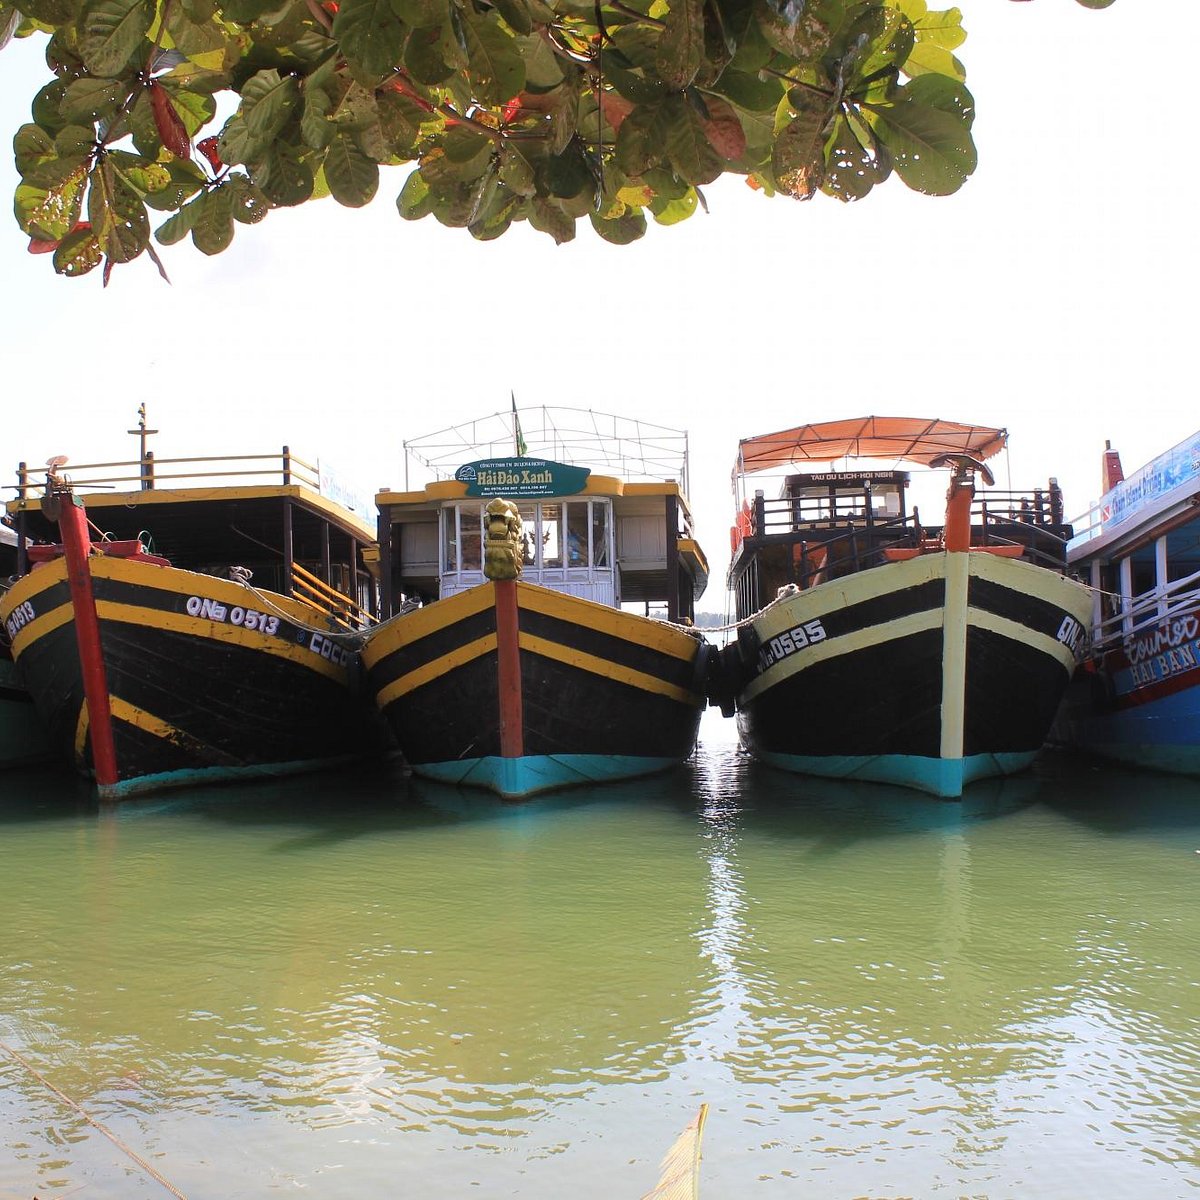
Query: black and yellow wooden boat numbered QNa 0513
[177,634]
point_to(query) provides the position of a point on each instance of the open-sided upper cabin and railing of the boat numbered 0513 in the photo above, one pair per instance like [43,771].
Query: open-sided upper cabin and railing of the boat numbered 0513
[272,517]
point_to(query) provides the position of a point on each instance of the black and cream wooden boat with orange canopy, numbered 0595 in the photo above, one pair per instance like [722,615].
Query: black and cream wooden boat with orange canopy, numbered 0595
[872,646]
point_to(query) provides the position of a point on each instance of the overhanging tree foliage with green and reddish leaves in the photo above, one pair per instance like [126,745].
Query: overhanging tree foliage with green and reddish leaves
[539,111]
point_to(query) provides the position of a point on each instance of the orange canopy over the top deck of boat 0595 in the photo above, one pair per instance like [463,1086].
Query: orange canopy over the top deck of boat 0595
[914,439]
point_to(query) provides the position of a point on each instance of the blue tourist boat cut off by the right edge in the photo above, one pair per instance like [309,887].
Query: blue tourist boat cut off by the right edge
[1137,697]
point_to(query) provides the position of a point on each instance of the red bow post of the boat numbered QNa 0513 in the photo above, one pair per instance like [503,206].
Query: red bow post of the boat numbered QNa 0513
[77,548]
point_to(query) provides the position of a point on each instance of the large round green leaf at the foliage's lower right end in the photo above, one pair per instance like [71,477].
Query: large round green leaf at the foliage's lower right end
[928,134]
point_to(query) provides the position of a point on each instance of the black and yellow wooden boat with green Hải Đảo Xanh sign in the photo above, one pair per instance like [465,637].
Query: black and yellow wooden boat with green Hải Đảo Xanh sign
[524,670]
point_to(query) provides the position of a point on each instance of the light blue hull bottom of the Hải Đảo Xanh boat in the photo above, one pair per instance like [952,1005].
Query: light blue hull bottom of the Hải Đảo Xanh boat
[518,778]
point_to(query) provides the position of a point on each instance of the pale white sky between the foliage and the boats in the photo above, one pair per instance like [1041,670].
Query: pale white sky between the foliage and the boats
[1054,296]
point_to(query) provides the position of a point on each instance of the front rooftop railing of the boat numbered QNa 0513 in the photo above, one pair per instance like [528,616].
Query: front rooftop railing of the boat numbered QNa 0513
[151,472]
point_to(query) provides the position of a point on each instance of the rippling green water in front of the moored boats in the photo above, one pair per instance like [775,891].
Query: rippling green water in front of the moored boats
[371,988]
